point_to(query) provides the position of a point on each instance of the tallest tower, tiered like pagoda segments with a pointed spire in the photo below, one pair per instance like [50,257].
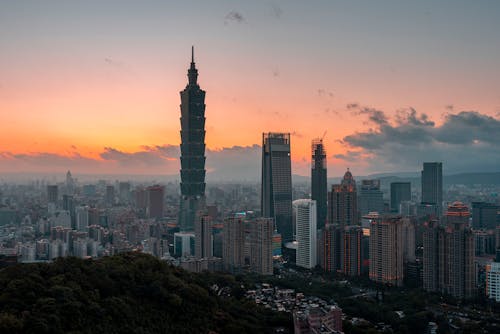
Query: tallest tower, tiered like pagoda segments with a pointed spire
[192,150]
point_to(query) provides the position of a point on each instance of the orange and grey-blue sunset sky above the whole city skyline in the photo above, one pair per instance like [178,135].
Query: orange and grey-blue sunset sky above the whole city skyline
[93,86]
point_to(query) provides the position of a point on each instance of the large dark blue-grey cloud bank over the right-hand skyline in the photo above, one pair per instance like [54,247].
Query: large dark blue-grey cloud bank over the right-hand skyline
[465,141]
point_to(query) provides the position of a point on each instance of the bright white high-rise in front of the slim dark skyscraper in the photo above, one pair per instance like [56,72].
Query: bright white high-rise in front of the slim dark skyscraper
[304,215]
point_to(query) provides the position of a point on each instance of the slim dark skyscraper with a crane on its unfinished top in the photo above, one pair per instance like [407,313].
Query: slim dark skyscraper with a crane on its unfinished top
[319,191]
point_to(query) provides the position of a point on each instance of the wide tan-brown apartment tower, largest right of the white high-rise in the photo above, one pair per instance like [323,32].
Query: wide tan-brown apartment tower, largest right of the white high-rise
[386,250]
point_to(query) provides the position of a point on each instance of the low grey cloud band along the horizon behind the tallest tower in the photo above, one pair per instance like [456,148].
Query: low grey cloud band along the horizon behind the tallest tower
[227,163]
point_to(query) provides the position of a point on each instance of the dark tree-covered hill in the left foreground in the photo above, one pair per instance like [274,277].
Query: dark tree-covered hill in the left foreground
[127,293]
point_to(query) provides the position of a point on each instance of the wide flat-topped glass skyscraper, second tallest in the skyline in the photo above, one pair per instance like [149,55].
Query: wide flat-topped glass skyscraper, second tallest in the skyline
[276,192]
